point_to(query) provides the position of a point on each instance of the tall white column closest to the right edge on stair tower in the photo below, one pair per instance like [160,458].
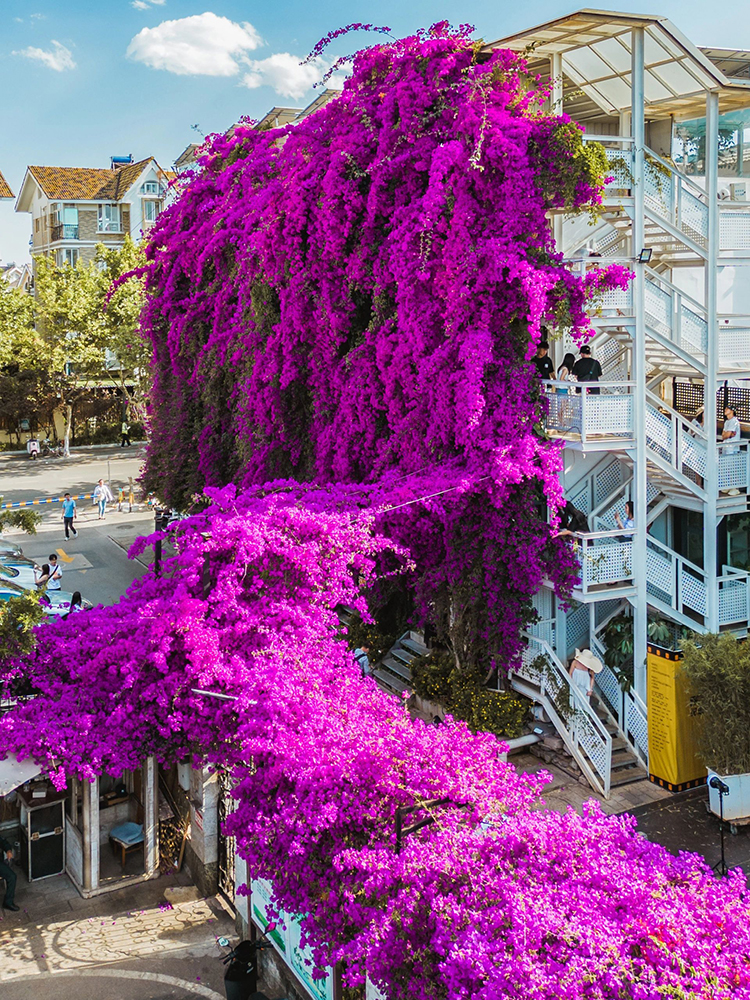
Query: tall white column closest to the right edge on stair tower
[710,518]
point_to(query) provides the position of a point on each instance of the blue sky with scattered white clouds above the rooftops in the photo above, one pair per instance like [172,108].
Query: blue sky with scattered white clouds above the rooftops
[85,79]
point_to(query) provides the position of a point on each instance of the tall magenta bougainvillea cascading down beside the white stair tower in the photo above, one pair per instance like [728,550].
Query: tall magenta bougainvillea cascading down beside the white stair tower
[355,298]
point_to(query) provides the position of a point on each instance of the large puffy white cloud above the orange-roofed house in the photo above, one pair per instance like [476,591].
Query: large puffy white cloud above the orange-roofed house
[201,45]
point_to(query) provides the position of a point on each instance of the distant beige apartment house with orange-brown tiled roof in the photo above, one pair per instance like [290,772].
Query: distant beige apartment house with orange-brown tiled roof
[75,208]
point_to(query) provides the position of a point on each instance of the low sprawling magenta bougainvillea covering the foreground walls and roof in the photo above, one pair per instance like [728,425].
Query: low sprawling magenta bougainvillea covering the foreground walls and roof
[495,899]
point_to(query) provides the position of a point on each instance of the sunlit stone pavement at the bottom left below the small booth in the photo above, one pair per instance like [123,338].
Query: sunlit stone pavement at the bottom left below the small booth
[146,942]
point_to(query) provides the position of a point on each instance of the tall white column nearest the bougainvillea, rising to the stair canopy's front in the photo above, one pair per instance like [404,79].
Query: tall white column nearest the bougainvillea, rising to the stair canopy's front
[640,610]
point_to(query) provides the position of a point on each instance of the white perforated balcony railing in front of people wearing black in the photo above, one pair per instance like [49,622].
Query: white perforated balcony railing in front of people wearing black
[592,412]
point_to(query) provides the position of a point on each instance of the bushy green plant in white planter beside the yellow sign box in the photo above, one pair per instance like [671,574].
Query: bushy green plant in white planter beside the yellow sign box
[717,668]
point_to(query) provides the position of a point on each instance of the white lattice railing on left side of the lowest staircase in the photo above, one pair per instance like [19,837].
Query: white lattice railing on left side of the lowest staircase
[542,677]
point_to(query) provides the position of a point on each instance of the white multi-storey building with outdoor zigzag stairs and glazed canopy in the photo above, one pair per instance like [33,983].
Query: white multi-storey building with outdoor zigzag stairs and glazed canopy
[675,351]
